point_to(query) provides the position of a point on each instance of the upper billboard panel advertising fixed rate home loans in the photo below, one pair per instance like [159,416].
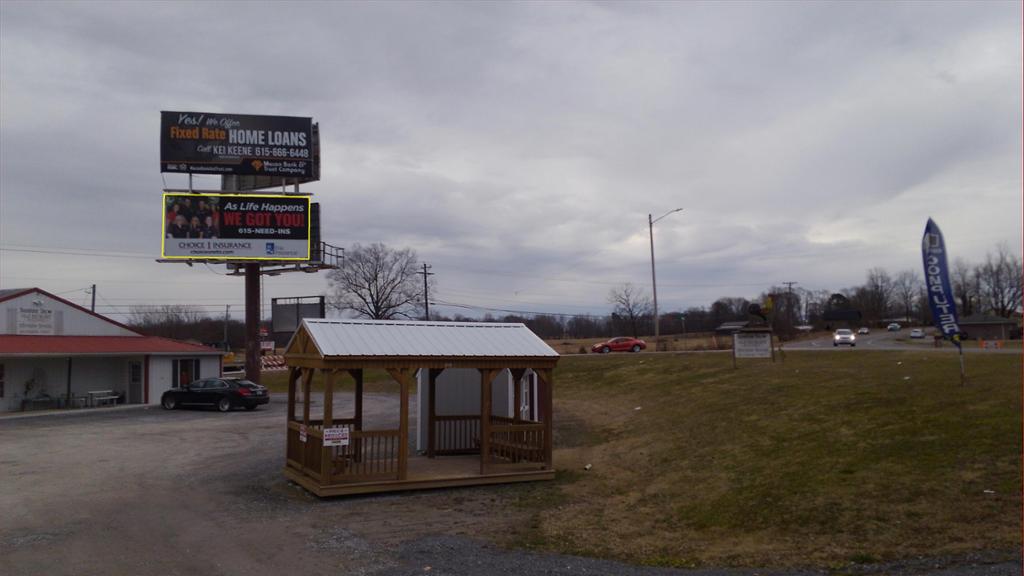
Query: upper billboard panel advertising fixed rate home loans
[237,144]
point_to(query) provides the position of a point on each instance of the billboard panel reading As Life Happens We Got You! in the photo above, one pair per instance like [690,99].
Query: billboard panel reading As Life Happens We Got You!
[235,227]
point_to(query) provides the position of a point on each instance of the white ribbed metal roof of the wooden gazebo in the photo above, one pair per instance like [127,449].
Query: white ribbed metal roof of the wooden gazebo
[411,339]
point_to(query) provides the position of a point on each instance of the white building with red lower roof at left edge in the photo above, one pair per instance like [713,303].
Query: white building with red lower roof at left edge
[56,354]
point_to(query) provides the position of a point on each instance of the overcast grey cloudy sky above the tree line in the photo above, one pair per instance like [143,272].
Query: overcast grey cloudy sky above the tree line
[520,148]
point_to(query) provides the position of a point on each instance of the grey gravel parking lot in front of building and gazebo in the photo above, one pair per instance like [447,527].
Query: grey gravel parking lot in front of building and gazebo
[145,491]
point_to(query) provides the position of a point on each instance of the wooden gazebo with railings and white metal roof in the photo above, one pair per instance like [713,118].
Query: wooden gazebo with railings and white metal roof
[357,458]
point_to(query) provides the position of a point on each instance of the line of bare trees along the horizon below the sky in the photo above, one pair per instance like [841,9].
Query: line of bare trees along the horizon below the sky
[379,282]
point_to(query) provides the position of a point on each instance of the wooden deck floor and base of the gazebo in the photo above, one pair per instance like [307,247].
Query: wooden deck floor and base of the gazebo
[425,474]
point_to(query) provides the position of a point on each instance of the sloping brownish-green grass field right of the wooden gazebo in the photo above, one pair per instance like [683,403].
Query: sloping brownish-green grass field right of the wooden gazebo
[825,461]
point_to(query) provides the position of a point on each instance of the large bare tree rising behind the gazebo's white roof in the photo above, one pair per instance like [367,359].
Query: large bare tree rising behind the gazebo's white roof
[377,282]
